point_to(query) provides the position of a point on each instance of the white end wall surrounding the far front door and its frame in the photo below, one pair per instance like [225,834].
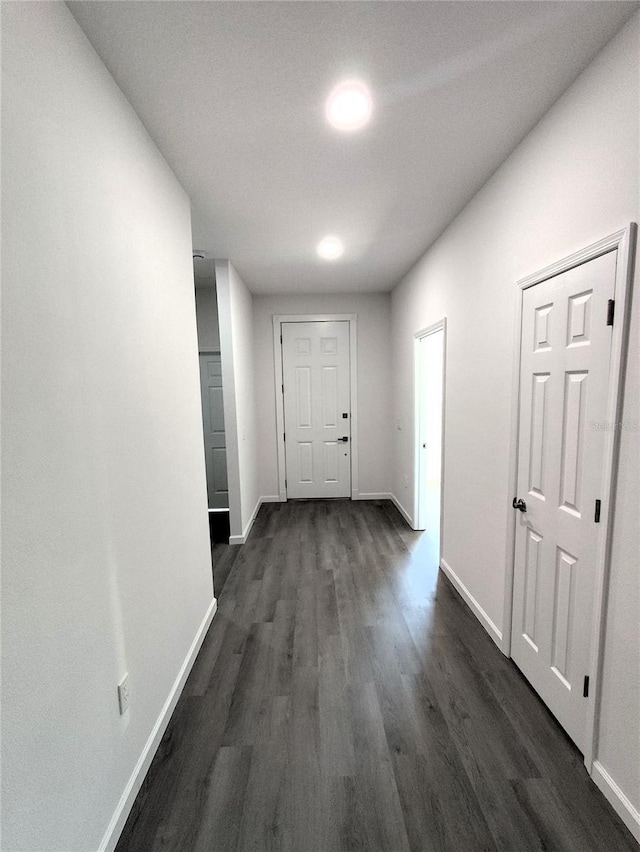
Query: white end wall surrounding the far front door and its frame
[374,382]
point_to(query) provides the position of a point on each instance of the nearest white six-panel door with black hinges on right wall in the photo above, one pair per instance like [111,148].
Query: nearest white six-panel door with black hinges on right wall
[565,355]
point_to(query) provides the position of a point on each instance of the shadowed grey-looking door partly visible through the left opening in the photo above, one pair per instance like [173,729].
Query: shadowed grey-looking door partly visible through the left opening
[215,446]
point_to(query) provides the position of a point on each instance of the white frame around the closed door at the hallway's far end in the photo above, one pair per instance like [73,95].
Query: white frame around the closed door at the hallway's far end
[352,319]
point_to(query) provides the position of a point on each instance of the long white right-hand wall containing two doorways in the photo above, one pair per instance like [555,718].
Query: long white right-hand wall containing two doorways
[572,181]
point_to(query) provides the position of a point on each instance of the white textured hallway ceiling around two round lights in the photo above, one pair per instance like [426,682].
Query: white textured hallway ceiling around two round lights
[233,94]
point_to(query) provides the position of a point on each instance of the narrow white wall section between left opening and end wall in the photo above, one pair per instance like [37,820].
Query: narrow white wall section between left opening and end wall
[235,305]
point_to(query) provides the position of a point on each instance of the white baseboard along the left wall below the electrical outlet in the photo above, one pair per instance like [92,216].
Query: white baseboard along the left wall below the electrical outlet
[114,829]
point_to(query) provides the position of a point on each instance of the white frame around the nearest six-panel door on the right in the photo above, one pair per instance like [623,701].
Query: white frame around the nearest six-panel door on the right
[624,242]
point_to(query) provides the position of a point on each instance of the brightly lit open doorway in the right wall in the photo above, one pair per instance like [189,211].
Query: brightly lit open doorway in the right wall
[430,345]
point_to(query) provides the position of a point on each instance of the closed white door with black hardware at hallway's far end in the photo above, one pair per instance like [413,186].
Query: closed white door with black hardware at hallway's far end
[317,416]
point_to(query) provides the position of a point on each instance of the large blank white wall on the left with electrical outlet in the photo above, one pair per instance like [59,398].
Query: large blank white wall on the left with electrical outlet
[106,561]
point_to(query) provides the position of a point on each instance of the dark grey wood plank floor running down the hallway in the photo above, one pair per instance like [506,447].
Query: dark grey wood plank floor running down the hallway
[346,699]
